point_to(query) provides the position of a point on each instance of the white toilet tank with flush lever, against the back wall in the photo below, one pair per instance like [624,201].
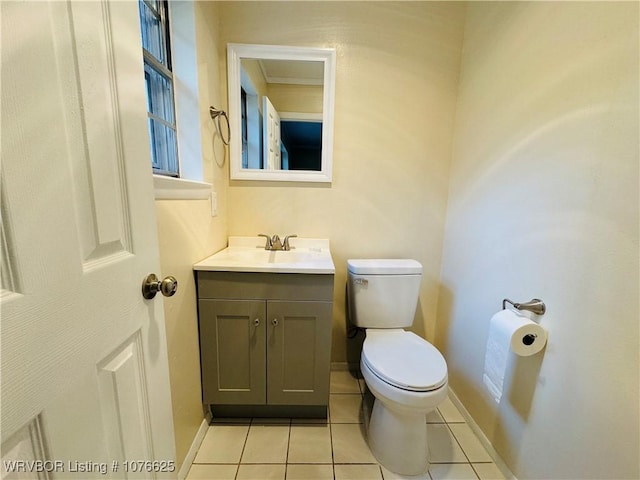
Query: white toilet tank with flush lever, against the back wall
[383,293]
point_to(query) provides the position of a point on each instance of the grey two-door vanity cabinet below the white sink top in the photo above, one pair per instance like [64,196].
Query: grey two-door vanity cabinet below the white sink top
[265,339]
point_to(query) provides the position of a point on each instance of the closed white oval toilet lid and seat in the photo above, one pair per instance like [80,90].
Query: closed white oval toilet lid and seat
[404,360]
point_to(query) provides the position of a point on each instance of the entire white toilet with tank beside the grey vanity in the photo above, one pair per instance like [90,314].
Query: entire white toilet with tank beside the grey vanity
[406,374]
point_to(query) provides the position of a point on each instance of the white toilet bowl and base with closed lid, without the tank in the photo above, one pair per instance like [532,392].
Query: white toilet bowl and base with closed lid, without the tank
[397,433]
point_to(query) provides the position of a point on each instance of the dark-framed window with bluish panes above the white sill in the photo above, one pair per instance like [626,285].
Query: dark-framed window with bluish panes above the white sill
[158,75]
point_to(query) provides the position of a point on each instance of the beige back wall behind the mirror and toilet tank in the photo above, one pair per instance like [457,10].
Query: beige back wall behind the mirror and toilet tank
[397,72]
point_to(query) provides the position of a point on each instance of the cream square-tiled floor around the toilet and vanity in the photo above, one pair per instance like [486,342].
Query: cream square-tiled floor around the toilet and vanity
[293,449]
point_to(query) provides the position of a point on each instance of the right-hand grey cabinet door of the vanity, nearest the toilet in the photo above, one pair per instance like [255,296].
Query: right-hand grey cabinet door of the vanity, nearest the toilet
[299,350]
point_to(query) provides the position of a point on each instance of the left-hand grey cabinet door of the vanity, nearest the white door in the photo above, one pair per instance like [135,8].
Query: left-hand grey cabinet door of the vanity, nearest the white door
[232,351]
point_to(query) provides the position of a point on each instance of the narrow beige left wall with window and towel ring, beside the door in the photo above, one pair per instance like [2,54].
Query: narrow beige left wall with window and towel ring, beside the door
[188,233]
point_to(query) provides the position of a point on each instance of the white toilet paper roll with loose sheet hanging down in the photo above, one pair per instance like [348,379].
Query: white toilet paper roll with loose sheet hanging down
[509,331]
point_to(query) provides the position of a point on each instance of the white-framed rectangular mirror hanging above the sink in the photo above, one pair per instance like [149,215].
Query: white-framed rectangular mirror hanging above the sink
[281,103]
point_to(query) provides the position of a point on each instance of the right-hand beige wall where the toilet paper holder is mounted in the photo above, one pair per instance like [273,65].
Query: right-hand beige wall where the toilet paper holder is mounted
[544,203]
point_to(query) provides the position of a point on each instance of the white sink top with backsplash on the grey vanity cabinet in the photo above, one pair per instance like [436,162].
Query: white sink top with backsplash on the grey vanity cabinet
[247,254]
